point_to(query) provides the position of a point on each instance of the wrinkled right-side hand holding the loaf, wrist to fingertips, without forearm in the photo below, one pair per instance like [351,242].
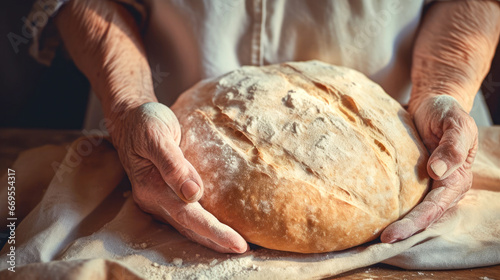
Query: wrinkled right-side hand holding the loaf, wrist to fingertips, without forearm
[450,135]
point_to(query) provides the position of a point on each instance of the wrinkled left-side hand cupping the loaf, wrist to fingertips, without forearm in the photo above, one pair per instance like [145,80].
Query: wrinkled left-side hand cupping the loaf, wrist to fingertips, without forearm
[164,183]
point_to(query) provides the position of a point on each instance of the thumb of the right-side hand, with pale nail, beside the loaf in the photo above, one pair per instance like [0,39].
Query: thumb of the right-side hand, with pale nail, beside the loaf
[453,150]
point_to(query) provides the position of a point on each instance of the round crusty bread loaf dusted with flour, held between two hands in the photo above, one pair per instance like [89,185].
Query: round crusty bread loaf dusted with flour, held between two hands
[304,157]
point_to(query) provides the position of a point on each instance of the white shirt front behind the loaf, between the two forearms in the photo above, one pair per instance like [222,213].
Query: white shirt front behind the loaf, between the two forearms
[188,41]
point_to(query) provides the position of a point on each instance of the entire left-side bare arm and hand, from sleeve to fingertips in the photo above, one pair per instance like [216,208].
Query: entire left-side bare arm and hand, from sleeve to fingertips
[146,136]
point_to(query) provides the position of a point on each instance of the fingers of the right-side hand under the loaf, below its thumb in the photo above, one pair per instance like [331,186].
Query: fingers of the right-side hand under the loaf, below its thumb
[444,195]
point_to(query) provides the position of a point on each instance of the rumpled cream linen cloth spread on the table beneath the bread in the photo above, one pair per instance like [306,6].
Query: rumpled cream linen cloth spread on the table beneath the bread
[88,226]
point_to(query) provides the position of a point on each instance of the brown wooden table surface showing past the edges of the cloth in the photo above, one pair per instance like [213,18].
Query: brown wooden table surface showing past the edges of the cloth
[13,141]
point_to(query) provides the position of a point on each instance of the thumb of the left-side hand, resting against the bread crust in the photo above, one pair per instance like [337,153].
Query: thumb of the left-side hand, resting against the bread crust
[176,171]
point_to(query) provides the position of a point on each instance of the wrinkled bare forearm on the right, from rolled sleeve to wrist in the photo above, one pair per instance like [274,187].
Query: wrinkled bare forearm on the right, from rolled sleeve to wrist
[453,50]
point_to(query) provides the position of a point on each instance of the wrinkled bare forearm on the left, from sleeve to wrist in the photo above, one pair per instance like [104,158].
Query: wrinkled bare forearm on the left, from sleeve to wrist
[104,42]
